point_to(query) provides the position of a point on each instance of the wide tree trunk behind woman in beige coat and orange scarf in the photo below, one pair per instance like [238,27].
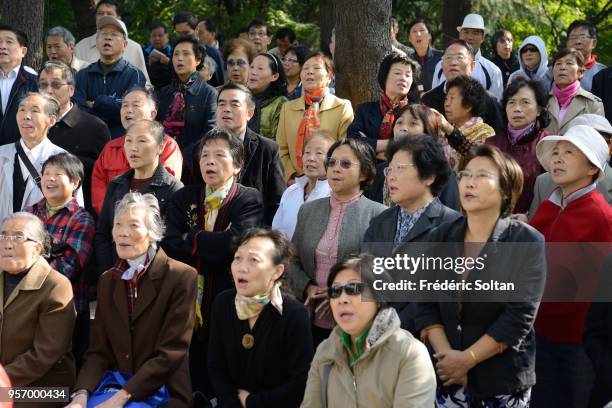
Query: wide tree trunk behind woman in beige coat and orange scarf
[362,41]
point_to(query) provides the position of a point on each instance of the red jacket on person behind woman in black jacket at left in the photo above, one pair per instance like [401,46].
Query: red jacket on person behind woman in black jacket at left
[112,163]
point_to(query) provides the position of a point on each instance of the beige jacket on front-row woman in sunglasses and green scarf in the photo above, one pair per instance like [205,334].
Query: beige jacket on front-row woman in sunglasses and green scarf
[395,370]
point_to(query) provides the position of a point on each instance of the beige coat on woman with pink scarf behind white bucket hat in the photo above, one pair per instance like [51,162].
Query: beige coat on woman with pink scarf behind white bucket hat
[584,102]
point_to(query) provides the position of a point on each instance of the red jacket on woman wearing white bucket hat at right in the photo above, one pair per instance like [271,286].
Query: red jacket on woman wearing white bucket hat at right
[587,219]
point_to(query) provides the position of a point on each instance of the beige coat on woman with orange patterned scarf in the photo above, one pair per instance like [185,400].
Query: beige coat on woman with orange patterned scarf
[335,116]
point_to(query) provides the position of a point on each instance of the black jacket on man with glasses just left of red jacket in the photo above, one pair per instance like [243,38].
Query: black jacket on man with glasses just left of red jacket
[83,135]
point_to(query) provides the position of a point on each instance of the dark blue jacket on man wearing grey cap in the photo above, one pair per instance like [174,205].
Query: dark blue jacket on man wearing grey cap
[106,91]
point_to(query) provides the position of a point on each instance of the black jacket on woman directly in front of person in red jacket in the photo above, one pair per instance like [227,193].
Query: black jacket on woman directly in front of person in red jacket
[162,186]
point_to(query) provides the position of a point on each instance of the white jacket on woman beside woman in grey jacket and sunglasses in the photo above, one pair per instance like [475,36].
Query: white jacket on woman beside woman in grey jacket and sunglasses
[285,218]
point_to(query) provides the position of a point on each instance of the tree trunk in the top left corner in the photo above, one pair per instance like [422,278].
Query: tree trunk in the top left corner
[28,16]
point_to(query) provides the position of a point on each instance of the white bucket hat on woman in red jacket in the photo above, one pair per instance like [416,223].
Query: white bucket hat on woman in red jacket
[585,138]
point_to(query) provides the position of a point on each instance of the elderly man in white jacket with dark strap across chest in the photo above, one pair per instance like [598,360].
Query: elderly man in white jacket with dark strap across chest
[21,162]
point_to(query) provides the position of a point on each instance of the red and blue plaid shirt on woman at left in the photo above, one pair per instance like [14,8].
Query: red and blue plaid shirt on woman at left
[75,227]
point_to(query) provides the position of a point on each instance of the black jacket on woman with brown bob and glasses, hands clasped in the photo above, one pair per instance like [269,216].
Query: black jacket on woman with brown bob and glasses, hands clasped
[510,323]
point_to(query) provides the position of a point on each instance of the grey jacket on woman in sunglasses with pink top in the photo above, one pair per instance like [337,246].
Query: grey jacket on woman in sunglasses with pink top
[312,223]
